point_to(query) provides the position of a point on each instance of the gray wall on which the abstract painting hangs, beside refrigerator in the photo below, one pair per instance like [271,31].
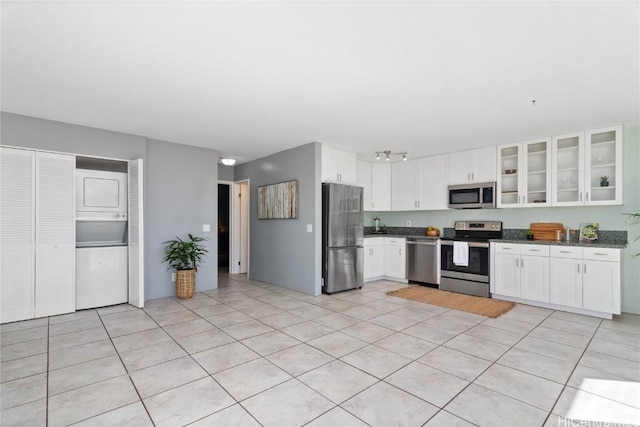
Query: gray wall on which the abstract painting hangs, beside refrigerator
[282,251]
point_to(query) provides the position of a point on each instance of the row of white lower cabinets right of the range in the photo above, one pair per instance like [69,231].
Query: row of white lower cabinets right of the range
[582,280]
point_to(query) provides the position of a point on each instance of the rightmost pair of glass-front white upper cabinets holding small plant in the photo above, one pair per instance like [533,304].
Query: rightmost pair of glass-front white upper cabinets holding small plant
[587,168]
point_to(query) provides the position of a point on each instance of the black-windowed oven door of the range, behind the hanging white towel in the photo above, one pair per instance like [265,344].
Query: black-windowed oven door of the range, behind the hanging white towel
[478,268]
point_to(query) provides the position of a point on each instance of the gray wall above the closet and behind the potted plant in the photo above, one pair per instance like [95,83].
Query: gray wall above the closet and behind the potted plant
[180,185]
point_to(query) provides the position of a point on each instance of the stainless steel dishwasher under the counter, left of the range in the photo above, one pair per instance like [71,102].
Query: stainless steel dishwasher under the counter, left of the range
[423,260]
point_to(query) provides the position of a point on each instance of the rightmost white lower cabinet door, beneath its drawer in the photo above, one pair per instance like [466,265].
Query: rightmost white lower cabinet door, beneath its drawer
[601,286]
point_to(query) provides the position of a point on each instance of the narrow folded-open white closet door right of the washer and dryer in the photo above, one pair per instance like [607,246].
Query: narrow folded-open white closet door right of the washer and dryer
[136,234]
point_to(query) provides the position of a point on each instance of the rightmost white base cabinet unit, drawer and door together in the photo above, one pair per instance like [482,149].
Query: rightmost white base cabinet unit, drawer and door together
[601,280]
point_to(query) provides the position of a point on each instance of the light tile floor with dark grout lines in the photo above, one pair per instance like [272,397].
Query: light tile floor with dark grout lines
[251,354]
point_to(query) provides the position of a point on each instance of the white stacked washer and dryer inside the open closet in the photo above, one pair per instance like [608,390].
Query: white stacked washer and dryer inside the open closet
[101,238]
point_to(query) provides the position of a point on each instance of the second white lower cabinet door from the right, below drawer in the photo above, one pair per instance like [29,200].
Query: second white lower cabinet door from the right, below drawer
[565,287]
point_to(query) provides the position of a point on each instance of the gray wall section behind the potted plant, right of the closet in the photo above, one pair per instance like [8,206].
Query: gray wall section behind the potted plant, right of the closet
[181,196]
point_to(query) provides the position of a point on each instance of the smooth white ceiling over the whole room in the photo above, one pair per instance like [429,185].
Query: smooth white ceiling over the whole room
[254,78]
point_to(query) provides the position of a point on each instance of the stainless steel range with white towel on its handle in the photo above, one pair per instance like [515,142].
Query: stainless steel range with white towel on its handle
[465,259]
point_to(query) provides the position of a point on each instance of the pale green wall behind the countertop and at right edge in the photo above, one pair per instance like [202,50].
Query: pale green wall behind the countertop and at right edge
[609,217]
